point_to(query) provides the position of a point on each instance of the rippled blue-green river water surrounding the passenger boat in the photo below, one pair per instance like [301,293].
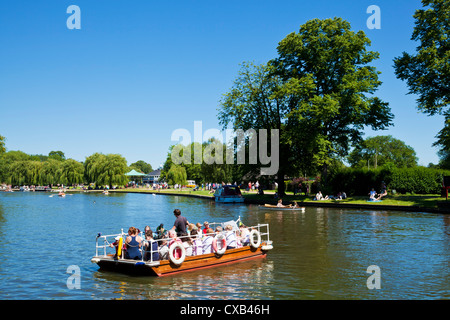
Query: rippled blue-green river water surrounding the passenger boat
[318,254]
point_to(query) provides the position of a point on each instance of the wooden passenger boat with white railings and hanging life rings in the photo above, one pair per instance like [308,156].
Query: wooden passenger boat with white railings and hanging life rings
[177,260]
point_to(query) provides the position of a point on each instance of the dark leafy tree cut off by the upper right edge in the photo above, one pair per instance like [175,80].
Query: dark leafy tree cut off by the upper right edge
[427,73]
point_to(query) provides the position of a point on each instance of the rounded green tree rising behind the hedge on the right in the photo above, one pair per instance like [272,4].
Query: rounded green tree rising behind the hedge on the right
[379,151]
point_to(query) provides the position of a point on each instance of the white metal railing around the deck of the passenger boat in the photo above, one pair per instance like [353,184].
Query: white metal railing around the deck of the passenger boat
[263,230]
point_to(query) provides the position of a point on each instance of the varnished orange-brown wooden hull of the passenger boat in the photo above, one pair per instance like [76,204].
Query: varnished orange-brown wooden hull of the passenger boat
[191,263]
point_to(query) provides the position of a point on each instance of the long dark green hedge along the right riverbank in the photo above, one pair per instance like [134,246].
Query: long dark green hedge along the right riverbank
[418,180]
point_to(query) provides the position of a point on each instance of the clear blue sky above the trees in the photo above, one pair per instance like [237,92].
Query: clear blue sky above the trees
[138,70]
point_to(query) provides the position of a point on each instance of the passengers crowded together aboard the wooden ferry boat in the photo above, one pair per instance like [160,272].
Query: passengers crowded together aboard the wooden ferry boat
[195,239]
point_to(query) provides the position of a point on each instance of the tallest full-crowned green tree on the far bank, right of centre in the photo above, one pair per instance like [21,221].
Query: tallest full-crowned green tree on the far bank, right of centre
[318,92]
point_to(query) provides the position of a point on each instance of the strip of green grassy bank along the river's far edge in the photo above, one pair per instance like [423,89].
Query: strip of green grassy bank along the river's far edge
[426,202]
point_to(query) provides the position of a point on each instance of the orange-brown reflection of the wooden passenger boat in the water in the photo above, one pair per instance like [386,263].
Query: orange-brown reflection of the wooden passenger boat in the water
[250,278]
